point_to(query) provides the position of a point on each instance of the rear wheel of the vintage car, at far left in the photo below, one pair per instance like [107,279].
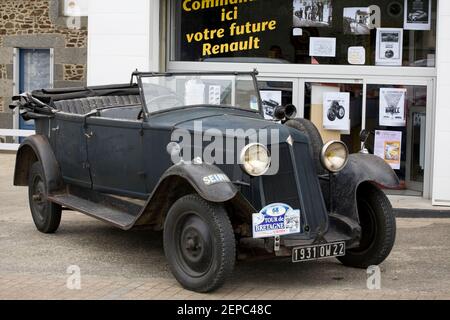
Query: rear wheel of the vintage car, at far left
[46,214]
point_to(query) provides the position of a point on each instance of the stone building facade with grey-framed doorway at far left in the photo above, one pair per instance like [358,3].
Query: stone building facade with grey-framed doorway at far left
[40,24]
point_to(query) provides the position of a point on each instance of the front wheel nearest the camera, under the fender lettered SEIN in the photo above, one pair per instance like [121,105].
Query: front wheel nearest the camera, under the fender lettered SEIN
[199,243]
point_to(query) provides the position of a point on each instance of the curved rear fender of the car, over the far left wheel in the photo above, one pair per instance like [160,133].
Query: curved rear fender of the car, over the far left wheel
[37,148]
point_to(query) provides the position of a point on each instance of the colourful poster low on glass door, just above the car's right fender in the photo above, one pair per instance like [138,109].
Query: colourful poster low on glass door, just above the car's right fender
[388,146]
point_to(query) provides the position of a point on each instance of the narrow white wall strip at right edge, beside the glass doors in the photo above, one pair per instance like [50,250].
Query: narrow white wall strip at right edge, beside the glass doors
[441,185]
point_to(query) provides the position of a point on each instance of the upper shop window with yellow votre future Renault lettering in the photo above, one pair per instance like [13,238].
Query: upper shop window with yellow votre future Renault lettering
[340,32]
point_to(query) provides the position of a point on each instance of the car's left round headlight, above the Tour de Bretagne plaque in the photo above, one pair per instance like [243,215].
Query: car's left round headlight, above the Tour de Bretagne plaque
[255,159]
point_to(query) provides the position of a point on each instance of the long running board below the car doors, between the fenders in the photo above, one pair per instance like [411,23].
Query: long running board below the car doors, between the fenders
[113,210]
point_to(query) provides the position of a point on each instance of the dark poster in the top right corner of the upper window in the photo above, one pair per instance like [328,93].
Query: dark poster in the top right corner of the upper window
[417,15]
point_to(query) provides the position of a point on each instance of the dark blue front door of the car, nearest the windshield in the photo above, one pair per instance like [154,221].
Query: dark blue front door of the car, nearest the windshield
[115,153]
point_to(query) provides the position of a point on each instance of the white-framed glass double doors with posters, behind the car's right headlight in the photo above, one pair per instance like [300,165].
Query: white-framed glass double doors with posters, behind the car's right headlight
[395,111]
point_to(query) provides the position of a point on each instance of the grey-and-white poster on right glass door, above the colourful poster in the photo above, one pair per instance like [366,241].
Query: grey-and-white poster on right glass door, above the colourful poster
[392,107]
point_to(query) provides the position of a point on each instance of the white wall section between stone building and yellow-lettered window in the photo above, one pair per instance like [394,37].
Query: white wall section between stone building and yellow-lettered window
[123,37]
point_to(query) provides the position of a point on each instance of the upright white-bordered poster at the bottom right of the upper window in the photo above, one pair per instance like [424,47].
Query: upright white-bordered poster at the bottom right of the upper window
[389,49]
